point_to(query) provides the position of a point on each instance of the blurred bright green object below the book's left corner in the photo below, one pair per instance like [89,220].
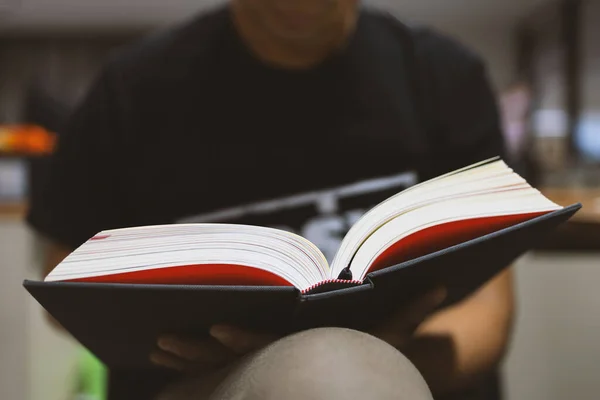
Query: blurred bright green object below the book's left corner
[91,379]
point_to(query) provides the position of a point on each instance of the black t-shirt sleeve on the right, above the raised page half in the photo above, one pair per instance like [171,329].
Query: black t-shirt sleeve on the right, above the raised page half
[465,118]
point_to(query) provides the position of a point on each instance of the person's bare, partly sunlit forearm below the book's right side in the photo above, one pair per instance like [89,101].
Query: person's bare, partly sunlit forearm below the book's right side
[459,345]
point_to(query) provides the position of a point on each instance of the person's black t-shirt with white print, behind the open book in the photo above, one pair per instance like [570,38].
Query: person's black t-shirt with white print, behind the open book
[187,126]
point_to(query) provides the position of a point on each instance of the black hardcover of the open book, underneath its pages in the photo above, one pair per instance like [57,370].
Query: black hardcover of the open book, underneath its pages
[120,323]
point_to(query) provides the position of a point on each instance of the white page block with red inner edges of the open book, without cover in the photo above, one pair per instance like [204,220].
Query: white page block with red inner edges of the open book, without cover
[423,219]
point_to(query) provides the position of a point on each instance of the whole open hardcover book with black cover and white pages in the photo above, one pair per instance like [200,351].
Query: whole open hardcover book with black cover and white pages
[122,288]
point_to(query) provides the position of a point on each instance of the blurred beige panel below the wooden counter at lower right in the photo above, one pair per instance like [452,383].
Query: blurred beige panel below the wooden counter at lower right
[554,353]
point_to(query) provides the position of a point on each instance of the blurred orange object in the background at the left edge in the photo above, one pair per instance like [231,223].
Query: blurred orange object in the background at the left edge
[26,140]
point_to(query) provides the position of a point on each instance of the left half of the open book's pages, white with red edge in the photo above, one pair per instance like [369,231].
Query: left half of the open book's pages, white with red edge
[196,254]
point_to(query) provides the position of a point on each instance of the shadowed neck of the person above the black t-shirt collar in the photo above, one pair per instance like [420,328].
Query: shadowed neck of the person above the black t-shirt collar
[291,54]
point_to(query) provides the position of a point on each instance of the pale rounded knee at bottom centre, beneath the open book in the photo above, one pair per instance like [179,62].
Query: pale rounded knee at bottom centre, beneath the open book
[323,364]
